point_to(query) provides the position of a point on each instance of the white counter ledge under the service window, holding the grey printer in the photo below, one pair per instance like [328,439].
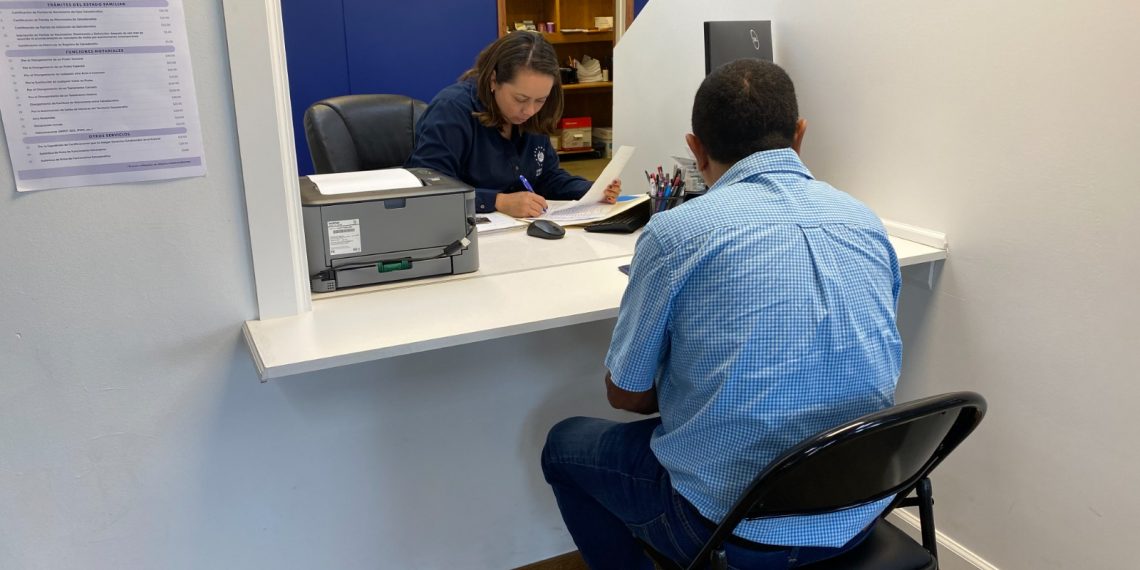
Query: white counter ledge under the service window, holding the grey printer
[523,286]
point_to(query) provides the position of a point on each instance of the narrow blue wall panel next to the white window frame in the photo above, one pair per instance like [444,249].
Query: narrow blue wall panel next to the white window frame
[316,59]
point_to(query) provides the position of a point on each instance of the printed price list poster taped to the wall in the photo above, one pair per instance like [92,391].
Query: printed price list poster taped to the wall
[97,93]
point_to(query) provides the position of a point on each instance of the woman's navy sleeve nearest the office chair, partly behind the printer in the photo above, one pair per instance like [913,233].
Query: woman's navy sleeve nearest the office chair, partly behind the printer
[444,139]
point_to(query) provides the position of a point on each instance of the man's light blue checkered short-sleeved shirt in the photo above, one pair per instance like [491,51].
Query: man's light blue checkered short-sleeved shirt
[764,313]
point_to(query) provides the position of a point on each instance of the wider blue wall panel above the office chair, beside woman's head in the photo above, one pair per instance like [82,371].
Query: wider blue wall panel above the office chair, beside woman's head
[414,48]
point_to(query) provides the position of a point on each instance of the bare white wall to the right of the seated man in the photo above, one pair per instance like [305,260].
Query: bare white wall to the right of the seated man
[1014,127]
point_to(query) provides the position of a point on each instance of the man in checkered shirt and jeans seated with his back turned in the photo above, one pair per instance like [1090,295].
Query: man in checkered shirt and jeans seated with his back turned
[756,316]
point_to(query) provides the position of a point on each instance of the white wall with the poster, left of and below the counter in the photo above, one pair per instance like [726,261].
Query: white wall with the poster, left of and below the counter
[134,434]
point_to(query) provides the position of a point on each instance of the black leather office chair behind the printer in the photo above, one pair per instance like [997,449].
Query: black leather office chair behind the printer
[356,133]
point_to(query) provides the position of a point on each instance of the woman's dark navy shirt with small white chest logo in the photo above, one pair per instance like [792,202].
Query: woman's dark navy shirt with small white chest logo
[452,142]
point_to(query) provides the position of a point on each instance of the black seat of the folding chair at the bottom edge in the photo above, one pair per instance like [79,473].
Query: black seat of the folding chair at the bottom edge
[886,549]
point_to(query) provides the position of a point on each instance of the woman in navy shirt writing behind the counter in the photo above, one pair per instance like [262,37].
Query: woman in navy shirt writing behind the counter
[492,131]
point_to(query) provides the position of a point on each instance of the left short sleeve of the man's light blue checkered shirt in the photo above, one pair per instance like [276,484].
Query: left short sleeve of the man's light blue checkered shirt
[641,338]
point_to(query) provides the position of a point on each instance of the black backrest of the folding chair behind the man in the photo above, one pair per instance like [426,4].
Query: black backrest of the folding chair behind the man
[876,457]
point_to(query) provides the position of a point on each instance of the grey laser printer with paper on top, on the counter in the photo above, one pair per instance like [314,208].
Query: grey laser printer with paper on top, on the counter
[363,229]
